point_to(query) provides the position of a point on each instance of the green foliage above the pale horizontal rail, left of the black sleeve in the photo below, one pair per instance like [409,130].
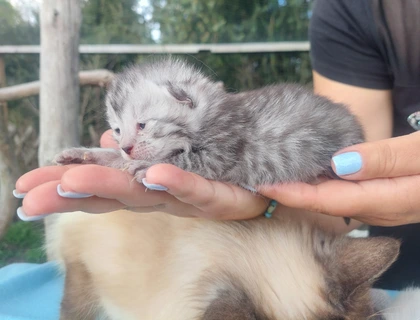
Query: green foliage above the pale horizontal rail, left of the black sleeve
[219,21]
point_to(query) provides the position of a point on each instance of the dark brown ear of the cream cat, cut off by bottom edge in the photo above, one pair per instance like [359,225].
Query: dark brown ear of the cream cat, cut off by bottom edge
[231,305]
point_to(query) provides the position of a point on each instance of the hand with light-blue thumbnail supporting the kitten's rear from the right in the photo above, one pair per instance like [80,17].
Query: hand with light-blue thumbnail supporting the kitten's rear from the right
[383,187]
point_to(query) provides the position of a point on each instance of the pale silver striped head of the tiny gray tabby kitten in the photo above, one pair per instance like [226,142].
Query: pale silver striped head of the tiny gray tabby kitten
[155,109]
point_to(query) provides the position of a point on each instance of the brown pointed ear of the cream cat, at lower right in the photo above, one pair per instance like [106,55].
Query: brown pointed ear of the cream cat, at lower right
[360,261]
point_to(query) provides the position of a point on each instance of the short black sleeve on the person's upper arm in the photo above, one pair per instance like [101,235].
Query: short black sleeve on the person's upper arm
[345,44]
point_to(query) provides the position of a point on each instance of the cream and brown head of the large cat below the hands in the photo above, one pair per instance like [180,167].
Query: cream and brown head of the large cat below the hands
[316,277]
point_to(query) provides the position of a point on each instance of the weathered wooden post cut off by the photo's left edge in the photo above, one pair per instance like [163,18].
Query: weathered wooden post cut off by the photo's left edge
[9,170]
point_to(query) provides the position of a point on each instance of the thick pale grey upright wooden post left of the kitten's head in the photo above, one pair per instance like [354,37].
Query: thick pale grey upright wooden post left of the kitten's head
[59,91]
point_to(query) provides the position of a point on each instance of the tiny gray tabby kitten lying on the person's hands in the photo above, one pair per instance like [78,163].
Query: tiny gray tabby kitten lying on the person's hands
[167,111]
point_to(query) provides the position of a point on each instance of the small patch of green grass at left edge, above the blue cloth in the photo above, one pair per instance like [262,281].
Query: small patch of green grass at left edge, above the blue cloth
[22,243]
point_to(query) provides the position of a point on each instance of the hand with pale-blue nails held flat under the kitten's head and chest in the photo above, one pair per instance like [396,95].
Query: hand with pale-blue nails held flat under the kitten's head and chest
[97,189]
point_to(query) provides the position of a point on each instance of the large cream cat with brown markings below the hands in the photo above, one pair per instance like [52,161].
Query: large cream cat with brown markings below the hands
[126,265]
